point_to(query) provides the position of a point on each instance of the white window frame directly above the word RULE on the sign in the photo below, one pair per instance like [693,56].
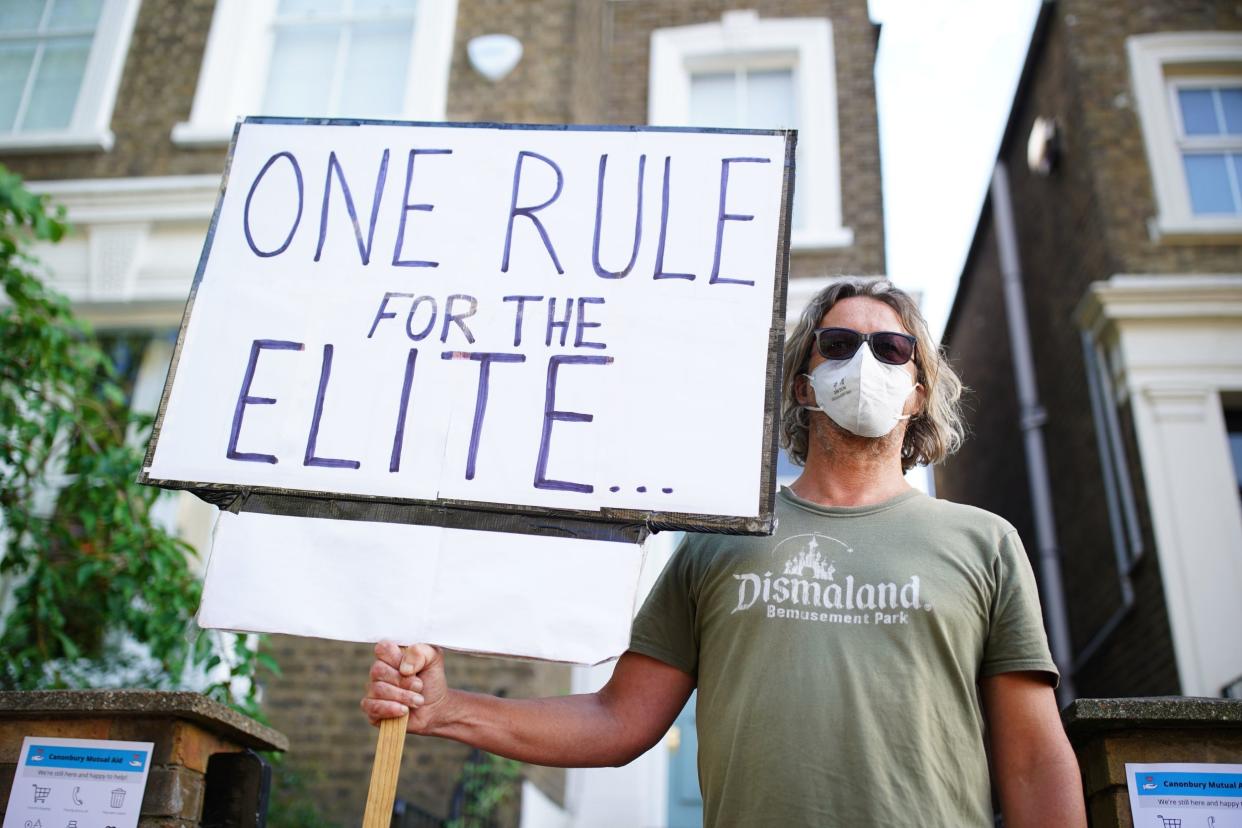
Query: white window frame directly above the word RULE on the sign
[742,39]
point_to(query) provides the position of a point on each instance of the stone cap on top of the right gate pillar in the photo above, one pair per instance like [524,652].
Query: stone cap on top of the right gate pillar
[1153,712]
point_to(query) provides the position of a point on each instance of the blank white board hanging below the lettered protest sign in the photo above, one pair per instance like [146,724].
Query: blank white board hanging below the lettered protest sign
[533,596]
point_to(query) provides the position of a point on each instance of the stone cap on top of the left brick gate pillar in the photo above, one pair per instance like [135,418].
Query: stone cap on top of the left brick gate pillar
[183,704]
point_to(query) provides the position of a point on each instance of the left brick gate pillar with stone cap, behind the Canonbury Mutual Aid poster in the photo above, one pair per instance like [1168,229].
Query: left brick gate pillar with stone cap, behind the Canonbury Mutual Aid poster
[188,731]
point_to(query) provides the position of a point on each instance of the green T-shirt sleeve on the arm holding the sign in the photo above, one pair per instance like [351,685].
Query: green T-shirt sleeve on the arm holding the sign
[666,626]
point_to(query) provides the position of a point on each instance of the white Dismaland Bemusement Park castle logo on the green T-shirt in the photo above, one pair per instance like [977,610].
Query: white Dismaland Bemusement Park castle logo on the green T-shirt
[809,587]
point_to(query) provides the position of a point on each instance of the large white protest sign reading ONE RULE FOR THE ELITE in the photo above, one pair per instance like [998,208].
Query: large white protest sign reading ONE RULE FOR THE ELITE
[487,327]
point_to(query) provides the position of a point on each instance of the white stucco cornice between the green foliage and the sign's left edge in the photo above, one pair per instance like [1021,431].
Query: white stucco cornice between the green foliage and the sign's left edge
[135,246]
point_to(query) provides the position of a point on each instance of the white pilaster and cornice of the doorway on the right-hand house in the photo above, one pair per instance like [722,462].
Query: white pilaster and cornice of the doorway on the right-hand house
[1176,346]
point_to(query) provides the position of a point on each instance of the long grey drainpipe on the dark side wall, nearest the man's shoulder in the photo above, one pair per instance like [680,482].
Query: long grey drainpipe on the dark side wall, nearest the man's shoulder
[1031,423]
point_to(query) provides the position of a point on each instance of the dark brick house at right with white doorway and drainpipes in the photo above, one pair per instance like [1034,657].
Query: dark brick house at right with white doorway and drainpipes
[1131,287]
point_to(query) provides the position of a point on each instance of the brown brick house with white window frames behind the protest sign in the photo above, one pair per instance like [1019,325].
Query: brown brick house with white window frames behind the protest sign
[137,158]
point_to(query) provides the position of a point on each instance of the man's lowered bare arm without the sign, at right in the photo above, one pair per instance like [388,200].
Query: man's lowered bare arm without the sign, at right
[1036,772]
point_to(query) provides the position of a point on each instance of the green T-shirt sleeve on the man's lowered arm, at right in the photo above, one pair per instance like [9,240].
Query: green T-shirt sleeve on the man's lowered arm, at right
[1017,640]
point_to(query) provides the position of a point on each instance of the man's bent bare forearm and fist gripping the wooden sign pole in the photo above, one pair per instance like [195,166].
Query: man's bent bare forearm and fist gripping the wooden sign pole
[613,727]
